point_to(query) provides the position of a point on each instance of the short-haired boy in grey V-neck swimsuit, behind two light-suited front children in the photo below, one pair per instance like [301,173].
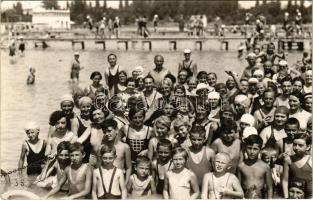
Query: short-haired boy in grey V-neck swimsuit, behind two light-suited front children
[200,157]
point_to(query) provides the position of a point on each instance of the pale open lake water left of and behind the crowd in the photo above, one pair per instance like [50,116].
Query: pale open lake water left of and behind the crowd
[21,103]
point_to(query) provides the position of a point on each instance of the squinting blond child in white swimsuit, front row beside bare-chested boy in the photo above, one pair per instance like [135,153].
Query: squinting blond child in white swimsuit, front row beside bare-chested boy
[221,184]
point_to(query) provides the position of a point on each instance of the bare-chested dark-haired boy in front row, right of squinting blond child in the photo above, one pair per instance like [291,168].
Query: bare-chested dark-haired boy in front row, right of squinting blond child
[253,173]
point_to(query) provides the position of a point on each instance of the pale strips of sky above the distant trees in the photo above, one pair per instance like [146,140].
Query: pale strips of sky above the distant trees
[114,4]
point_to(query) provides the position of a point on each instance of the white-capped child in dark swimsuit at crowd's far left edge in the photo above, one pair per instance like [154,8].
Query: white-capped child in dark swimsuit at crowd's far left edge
[33,149]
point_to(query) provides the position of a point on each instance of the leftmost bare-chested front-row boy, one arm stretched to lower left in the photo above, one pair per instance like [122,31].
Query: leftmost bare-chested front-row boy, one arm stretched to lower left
[78,174]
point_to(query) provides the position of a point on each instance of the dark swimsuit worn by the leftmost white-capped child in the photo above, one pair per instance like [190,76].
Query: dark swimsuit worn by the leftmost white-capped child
[35,160]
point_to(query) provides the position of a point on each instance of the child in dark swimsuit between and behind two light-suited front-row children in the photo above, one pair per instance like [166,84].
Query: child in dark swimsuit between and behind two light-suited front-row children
[163,163]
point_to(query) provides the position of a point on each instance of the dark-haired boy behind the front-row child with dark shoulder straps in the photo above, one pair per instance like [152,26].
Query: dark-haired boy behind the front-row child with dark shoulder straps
[123,158]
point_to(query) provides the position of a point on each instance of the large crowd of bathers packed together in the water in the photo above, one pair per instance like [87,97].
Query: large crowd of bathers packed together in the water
[183,137]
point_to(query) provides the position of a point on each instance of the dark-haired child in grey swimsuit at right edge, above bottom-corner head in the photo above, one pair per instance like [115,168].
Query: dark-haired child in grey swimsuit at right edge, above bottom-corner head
[299,165]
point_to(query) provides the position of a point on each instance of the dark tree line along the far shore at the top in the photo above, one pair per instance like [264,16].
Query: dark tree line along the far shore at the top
[169,11]
